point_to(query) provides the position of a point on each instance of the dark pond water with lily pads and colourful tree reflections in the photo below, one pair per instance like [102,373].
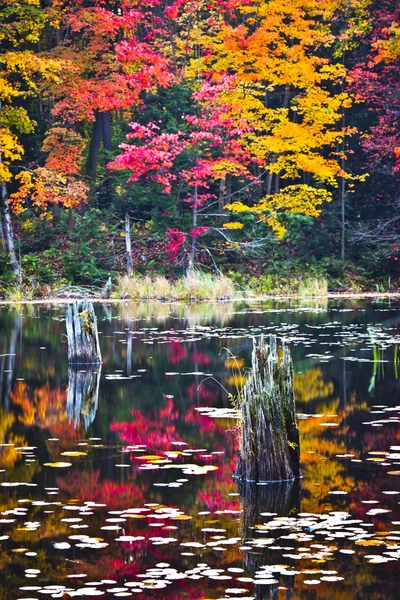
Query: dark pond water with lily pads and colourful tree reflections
[130,493]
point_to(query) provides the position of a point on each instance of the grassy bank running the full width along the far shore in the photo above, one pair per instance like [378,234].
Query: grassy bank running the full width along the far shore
[198,286]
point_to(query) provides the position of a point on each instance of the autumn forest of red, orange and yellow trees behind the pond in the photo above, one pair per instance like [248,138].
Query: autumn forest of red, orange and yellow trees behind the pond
[257,140]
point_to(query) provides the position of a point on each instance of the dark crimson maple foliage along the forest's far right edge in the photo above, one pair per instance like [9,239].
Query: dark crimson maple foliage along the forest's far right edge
[374,78]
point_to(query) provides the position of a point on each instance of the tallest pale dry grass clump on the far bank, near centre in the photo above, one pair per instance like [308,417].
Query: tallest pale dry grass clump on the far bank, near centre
[194,286]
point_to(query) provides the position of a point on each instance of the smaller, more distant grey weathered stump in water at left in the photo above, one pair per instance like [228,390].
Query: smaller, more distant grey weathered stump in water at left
[83,339]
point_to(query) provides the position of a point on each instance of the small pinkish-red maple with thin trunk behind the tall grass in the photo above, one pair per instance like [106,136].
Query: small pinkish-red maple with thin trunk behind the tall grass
[212,147]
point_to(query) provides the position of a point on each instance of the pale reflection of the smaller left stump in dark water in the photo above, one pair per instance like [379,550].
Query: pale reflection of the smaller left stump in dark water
[83,395]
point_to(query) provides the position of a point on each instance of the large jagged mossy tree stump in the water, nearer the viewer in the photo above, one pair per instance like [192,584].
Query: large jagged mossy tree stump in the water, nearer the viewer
[270,441]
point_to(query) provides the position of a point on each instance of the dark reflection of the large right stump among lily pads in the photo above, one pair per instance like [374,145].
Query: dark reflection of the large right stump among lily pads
[281,498]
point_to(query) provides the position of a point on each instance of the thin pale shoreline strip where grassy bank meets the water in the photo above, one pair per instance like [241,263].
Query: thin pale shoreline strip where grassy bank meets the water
[261,298]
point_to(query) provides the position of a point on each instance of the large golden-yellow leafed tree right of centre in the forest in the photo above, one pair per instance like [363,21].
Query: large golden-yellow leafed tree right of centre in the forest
[288,87]
